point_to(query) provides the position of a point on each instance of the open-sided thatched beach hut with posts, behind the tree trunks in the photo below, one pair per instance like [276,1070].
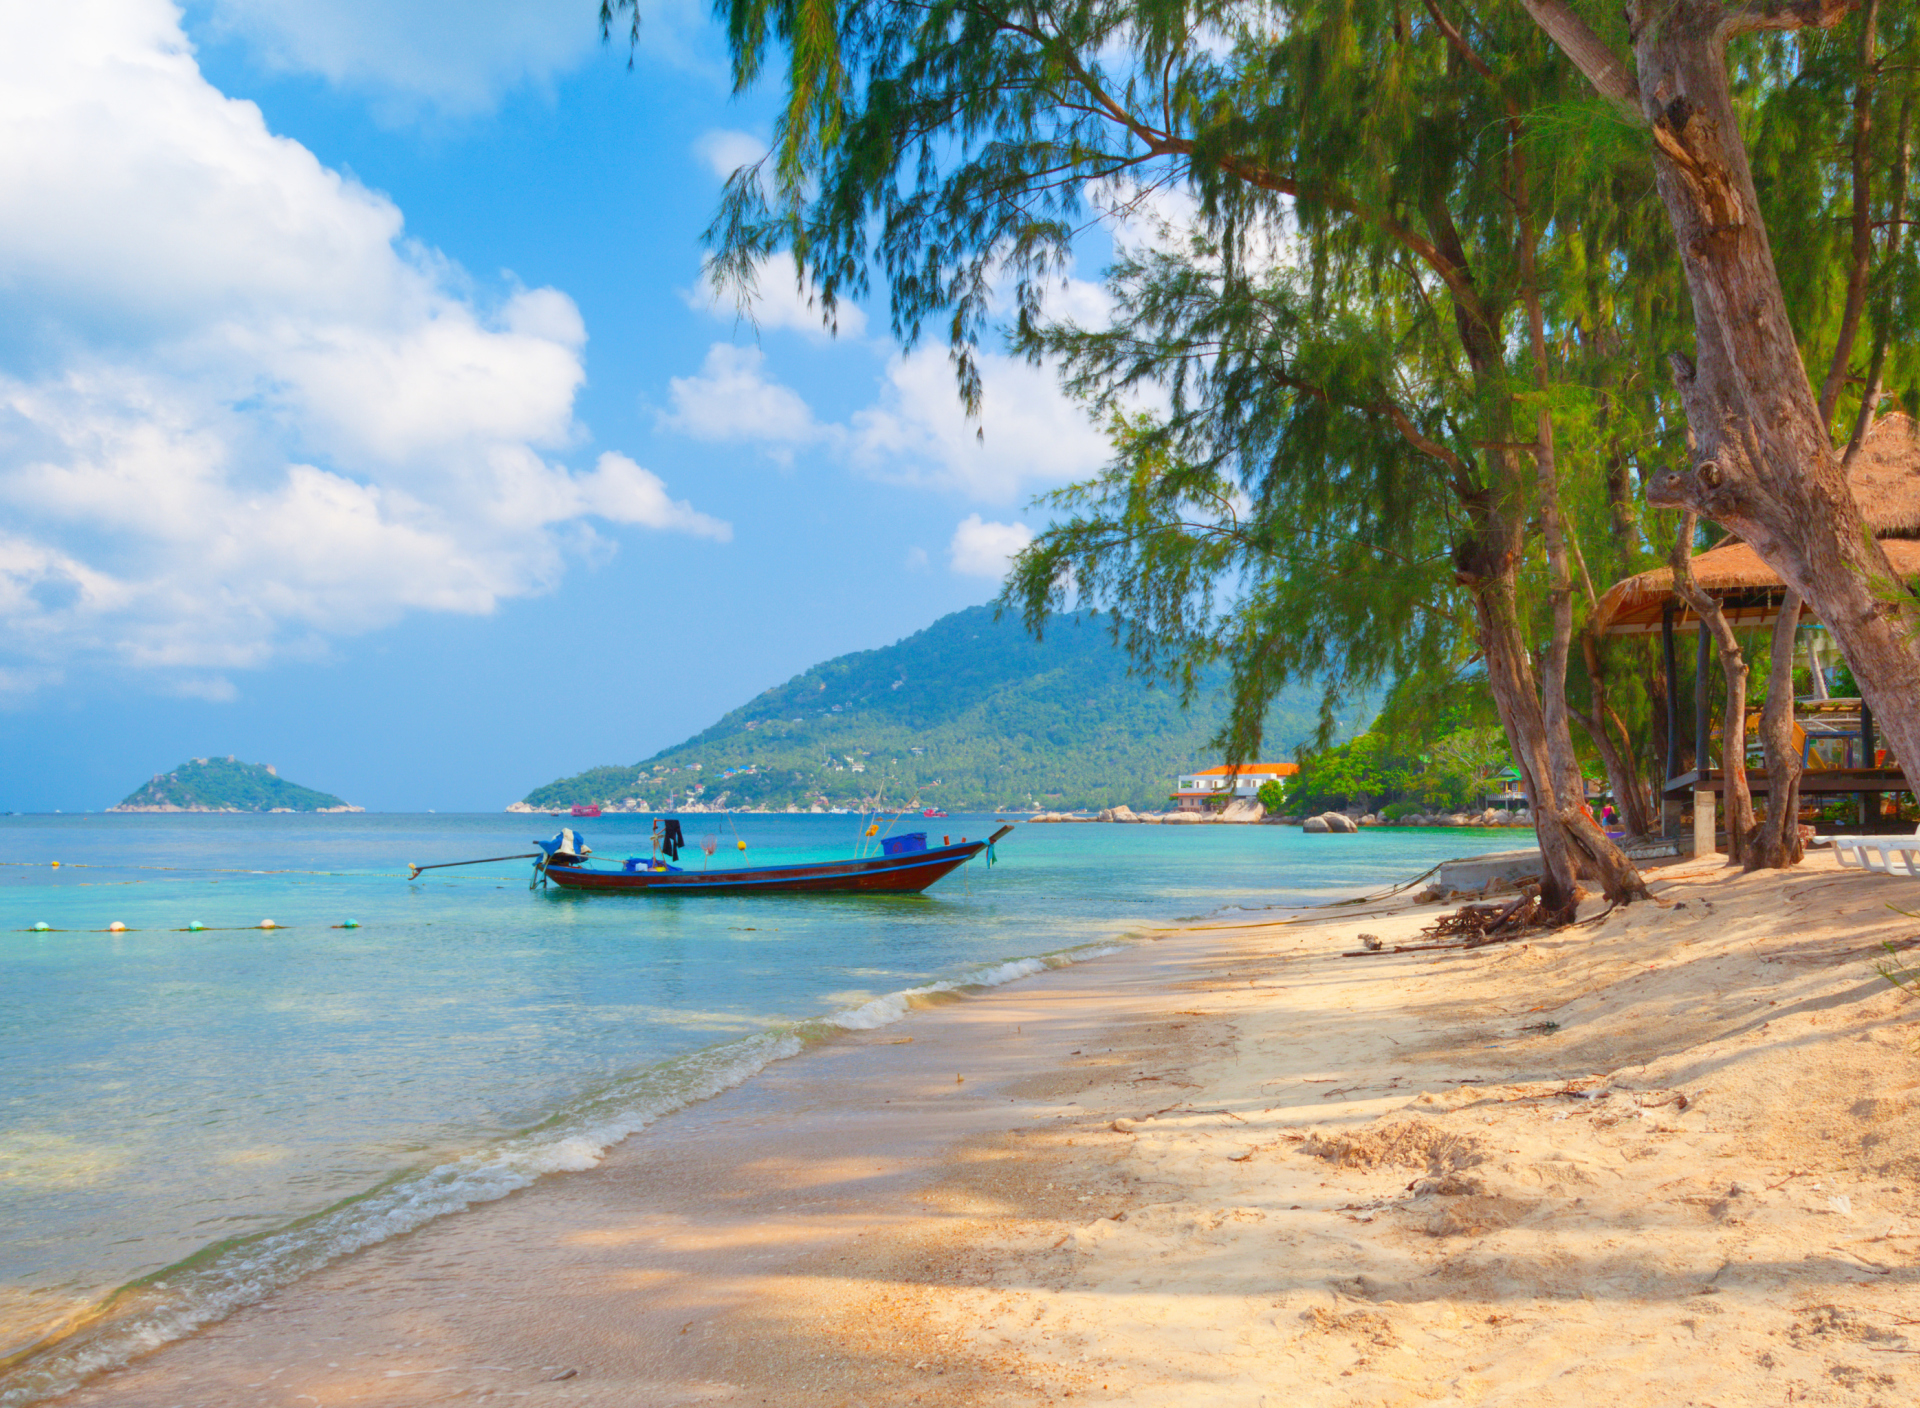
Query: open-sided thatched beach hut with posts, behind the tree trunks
[1836,737]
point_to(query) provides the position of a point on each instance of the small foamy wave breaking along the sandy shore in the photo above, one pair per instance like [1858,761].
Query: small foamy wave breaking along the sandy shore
[233,1274]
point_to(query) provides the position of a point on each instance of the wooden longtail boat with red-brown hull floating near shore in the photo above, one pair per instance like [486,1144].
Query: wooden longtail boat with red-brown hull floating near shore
[907,865]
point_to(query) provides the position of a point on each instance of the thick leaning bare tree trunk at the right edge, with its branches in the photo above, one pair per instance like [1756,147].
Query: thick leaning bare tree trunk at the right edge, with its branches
[1764,443]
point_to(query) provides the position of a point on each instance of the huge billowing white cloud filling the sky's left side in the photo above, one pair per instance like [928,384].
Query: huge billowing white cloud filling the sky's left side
[241,414]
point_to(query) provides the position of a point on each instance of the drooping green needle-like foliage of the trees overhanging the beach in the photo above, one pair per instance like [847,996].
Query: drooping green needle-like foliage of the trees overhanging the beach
[1385,389]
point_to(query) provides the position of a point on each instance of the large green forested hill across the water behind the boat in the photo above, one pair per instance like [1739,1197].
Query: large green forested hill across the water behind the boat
[971,716]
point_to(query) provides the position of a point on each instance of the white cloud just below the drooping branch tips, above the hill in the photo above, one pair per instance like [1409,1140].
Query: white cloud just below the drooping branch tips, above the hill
[1030,435]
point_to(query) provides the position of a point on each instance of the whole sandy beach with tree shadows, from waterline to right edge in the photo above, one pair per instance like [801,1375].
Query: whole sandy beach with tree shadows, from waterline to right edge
[1664,1157]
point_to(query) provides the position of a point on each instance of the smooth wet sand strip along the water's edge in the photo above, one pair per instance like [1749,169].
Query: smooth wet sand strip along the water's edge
[675,1175]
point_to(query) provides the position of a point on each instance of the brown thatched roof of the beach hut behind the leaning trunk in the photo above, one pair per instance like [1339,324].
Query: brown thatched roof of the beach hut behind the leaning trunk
[1886,481]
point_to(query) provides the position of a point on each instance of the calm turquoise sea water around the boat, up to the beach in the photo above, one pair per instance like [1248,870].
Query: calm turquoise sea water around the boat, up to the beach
[191,1119]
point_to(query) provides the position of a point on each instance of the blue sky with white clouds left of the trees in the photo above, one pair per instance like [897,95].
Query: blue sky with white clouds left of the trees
[364,408]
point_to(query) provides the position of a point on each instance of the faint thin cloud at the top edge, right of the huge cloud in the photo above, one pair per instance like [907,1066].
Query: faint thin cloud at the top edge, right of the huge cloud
[414,55]
